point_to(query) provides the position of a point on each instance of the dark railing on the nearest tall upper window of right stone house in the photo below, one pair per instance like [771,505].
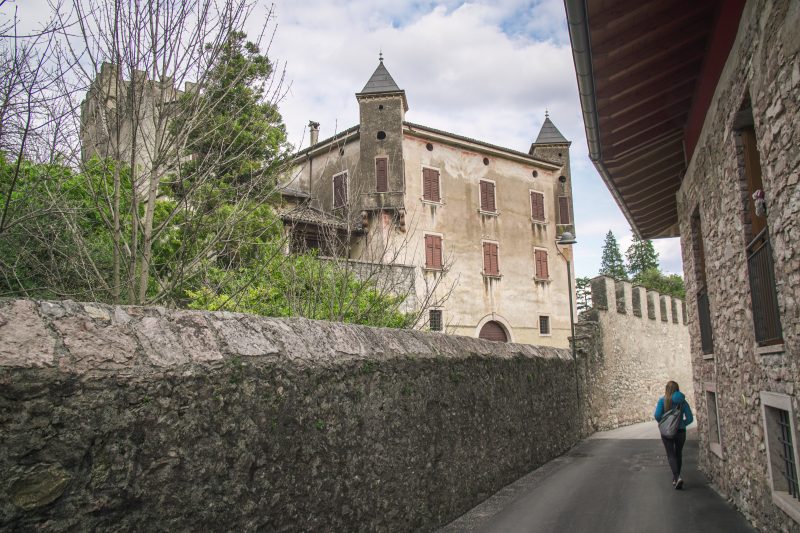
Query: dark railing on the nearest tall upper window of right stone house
[766,317]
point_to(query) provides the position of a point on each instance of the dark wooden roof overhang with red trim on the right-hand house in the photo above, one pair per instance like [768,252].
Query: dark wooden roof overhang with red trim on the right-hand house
[647,71]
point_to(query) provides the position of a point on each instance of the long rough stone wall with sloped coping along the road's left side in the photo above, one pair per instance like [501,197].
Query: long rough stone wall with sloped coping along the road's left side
[130,418]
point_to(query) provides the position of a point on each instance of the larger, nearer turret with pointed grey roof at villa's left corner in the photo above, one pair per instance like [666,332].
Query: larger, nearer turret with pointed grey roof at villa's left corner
[379,179]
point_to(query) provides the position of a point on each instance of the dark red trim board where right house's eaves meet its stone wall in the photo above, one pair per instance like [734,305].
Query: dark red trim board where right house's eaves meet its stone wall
[719,47]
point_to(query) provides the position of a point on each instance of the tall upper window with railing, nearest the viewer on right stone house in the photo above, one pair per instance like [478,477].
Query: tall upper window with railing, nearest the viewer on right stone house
[760,265]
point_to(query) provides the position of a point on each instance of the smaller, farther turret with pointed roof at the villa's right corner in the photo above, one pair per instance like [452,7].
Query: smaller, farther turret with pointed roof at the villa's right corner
[552,146]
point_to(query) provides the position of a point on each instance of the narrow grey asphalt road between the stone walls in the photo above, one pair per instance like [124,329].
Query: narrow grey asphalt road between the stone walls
[616,481]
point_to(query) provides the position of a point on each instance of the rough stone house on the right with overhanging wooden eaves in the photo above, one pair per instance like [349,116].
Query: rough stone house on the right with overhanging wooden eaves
[692,119]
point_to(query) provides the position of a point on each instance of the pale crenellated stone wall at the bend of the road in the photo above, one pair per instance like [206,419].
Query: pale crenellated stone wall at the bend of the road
[638,340]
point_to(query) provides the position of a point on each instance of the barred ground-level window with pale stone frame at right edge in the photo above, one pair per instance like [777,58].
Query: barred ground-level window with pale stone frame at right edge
[781,443]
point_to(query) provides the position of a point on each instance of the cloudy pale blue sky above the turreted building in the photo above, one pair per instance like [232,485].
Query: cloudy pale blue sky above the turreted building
[486,69]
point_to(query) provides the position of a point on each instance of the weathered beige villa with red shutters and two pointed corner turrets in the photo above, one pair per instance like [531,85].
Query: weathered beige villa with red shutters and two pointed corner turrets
[477,222]
